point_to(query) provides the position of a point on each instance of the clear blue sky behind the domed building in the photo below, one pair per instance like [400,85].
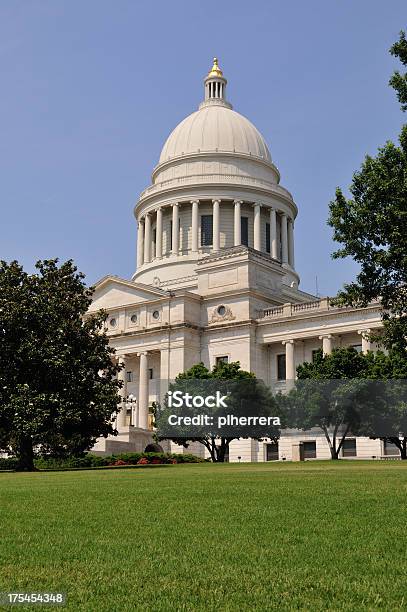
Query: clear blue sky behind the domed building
[90,89]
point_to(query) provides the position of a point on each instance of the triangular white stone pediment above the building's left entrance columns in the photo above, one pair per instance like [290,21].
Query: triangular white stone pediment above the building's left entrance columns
[113,292]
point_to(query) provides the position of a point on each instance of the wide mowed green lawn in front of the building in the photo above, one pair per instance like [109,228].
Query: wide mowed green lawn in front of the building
[312,536]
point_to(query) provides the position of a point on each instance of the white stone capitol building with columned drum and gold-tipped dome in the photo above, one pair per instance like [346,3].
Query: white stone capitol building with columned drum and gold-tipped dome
[216,280]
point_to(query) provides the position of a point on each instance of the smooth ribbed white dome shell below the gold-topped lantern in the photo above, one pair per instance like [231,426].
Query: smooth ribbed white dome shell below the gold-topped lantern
[215,128]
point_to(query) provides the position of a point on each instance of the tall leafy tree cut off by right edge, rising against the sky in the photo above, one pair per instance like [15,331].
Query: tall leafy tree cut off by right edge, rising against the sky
[370,226]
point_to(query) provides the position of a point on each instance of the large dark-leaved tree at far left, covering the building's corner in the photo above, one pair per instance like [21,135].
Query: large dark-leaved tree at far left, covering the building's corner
[57,386]
